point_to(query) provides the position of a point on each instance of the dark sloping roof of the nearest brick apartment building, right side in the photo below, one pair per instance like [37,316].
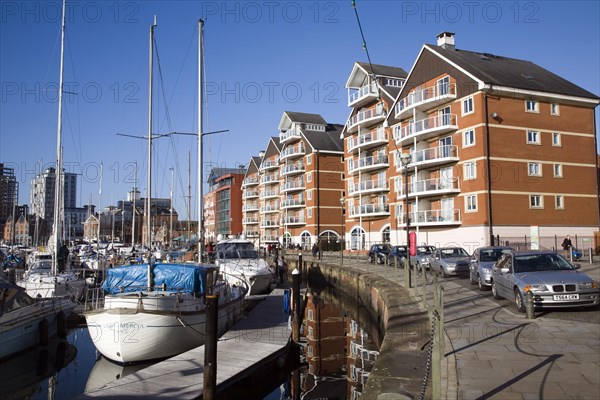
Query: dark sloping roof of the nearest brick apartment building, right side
[511,72]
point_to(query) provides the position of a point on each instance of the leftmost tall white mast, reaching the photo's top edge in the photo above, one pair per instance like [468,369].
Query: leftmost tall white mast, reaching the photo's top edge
[58,176]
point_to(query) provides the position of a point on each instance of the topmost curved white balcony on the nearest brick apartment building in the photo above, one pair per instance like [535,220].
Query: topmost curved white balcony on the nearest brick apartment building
[425,99]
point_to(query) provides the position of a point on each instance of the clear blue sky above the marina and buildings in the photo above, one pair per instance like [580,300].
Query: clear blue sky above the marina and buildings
[262,58]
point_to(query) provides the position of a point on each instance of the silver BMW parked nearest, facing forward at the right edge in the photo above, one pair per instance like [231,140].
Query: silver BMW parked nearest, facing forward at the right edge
[553,281]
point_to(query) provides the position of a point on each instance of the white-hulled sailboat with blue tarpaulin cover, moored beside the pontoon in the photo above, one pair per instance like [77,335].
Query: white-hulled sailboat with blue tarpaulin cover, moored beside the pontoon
[152,311]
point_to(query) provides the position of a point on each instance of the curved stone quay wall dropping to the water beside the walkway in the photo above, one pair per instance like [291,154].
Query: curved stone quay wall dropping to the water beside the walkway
[402,324]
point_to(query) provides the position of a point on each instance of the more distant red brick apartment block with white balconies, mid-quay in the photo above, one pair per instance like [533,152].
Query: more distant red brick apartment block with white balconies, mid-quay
[291,193]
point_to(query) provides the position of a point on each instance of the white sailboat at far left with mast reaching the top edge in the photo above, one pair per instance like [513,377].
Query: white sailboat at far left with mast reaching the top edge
[44,279]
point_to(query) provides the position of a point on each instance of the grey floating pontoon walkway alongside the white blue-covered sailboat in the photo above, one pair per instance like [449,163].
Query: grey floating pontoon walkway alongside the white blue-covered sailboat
[255,338]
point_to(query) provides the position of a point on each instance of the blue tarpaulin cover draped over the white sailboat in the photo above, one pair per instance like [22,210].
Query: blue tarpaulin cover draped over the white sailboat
[190,278]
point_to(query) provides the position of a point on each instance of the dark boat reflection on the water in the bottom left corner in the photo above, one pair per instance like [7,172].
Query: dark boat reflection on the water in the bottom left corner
[26,374]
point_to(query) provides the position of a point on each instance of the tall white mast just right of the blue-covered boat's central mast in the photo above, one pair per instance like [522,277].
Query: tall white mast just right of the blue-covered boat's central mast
[200,167]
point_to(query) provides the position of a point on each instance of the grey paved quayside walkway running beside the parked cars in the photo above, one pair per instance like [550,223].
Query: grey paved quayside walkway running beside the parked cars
[494,352]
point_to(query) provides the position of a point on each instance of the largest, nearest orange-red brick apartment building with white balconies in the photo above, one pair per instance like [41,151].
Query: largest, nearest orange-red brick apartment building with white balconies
[498,147]
